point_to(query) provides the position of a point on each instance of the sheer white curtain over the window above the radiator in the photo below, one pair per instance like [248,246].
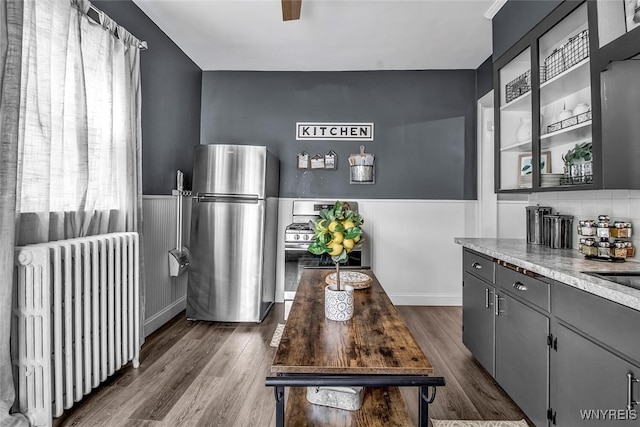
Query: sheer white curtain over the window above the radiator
[79,133]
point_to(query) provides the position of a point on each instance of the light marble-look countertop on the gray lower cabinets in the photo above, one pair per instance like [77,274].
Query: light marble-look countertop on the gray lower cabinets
[564,265]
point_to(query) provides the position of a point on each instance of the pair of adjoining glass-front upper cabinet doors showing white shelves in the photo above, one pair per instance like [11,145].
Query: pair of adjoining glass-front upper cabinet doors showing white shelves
[545,106]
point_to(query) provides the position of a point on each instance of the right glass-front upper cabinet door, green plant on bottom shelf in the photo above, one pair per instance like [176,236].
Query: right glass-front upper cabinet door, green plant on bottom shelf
[565,102]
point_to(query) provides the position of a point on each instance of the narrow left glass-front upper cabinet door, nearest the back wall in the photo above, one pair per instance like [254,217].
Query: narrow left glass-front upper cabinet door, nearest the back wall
[515,123]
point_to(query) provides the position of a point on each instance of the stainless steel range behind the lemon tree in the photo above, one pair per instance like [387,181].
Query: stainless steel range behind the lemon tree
[298,237]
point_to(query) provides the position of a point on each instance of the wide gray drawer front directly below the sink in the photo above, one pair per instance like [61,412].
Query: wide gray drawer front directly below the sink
[608,322]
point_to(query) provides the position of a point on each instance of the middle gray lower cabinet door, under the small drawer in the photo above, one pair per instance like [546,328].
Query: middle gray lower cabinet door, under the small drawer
[522,356]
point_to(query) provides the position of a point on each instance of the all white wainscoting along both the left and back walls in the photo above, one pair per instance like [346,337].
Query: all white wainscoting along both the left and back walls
[411,244]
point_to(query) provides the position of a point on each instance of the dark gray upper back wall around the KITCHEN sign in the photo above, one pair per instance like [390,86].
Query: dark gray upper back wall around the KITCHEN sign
[424,127]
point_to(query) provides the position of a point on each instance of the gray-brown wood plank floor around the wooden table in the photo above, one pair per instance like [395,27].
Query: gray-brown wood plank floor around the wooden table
[212,374]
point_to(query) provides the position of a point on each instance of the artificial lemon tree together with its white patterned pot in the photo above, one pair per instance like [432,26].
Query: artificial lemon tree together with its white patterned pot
[337,233]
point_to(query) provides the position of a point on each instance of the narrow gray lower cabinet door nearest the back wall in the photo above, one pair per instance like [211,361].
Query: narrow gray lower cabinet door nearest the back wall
[478,320]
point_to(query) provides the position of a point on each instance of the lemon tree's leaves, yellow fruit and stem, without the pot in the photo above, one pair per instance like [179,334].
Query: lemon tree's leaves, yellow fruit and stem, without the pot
[336,233]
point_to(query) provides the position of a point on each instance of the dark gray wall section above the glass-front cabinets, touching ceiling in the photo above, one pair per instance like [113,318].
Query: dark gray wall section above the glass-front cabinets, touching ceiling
[515,19]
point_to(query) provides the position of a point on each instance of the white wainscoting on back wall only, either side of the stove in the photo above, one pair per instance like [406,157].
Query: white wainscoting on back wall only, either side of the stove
[413,253]
